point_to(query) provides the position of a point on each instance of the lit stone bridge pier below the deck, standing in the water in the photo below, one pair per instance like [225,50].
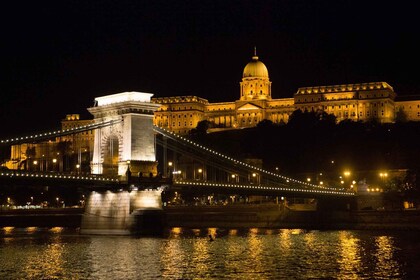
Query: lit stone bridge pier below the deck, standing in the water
[123,213]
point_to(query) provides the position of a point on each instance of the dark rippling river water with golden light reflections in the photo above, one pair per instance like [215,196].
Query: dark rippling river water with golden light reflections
[57,253]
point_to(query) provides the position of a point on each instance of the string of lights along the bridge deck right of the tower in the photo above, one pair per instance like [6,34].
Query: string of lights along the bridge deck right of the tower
[259,187]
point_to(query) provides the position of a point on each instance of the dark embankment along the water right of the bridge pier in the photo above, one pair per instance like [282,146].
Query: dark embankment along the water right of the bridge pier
[277,216]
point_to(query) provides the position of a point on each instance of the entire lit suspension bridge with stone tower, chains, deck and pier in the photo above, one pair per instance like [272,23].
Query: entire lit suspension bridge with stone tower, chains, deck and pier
[133,163]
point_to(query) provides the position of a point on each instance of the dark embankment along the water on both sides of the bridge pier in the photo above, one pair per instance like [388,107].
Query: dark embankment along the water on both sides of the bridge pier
[233,216]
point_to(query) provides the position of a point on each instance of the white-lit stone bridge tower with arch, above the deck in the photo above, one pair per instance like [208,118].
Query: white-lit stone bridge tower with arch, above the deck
[129,142]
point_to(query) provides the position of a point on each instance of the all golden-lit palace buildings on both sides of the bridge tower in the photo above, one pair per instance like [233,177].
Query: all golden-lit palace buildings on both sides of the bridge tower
[181,114]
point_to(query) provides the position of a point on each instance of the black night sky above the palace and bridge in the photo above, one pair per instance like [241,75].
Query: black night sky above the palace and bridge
[57,56]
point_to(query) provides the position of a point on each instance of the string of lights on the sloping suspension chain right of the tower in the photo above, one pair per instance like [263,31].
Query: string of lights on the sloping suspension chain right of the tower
[287,179]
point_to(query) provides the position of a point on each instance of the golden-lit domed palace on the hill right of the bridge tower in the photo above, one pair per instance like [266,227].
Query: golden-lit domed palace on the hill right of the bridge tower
[357,102]
